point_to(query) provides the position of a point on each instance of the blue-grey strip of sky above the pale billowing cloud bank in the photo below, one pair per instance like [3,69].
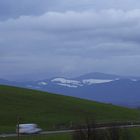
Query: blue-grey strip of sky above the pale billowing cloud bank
[16,8]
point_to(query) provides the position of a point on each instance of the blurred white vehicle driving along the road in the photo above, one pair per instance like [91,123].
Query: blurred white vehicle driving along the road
[28,129]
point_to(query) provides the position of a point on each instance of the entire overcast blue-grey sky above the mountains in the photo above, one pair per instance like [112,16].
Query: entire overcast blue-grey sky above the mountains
[40,39]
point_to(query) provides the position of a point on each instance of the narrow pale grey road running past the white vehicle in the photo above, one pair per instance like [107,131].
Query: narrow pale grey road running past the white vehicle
[67,131]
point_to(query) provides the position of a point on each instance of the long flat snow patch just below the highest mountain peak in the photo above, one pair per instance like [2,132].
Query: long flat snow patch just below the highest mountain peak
[95,81]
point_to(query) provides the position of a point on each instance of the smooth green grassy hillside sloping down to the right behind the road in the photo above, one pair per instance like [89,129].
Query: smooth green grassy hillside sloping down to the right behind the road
[51,110]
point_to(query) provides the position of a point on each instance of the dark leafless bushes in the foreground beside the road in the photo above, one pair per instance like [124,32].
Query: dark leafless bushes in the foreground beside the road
[90,131]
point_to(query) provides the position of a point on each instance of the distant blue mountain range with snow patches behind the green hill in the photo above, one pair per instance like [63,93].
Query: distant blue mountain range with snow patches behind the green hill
[108,88]
